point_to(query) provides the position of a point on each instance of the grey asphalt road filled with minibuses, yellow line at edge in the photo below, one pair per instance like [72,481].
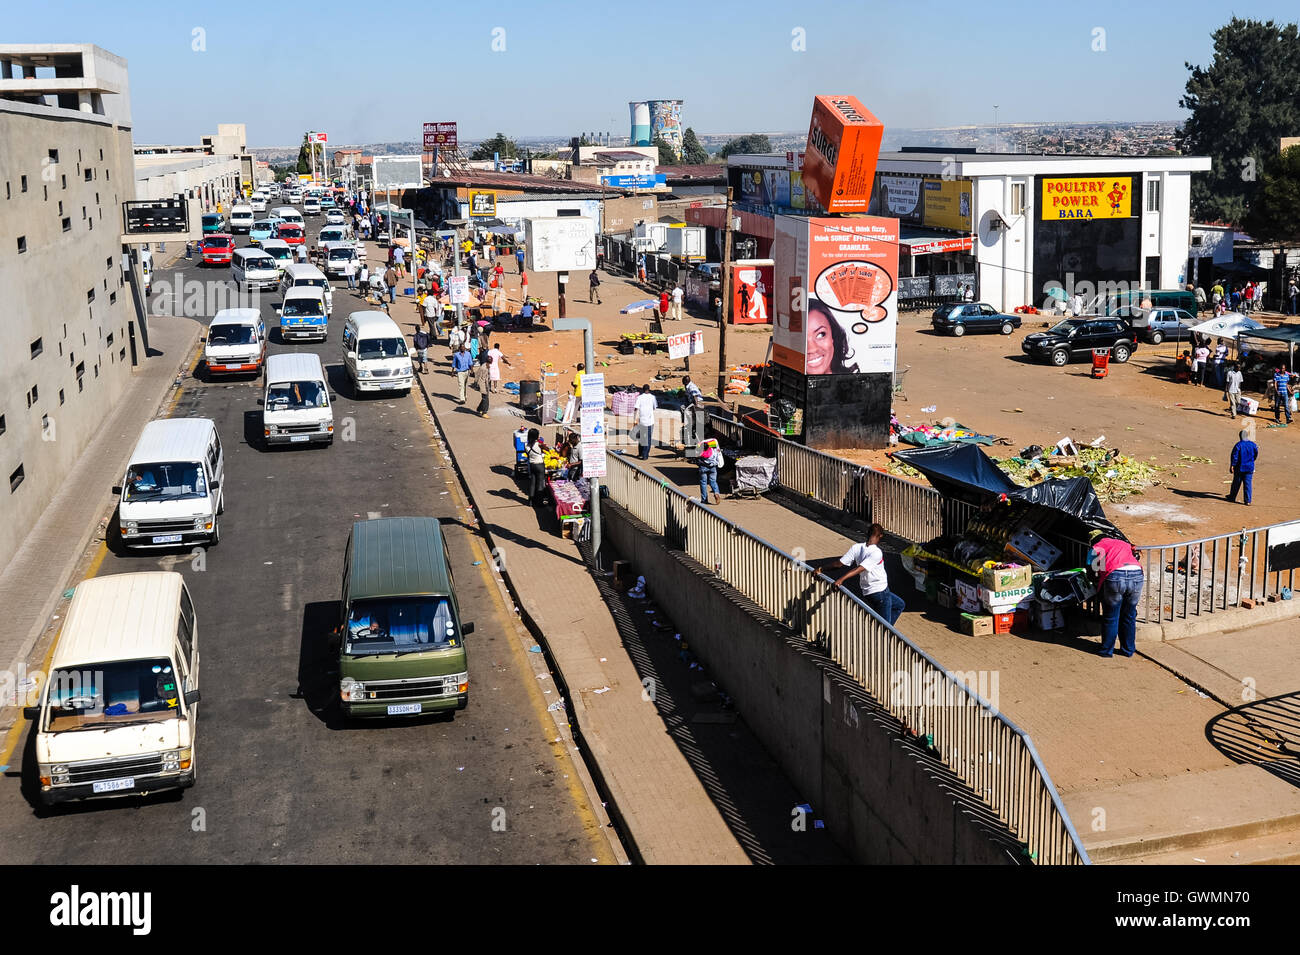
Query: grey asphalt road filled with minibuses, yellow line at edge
[280,778]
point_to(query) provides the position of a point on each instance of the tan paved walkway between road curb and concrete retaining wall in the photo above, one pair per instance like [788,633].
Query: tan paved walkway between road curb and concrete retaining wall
[665,808]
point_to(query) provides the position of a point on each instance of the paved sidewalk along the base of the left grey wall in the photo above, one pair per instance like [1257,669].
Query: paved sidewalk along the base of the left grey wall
[33,584]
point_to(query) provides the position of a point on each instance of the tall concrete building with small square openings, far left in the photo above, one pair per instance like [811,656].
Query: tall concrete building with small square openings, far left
[70,337]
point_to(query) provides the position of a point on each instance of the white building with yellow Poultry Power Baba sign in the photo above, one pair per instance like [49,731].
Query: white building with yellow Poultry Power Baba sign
[1012,225]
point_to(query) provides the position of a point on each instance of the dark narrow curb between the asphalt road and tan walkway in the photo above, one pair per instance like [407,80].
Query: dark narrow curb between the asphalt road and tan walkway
[595,782]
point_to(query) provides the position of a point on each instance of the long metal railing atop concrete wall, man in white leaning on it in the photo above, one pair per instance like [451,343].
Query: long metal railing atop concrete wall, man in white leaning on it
[990,753]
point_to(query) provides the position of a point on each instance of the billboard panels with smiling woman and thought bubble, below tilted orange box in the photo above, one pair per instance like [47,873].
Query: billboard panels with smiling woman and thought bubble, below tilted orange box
[837,301]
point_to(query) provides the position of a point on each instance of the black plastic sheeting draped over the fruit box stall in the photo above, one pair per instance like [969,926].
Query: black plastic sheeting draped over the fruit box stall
[964,472]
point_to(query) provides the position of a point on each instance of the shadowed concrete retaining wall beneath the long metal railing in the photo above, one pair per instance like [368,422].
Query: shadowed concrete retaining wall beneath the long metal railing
[883,797]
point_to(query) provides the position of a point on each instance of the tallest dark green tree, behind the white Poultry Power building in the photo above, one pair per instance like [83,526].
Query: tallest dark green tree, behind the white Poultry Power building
[1241,106]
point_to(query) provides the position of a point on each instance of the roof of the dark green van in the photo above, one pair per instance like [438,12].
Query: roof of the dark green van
[398,557]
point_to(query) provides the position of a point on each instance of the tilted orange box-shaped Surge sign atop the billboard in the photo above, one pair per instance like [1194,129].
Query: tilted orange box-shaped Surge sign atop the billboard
[840,159]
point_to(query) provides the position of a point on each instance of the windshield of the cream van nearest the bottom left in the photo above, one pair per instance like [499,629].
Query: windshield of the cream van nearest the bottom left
[114,694]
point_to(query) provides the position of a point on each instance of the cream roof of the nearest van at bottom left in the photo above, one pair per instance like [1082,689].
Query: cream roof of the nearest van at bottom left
[120,617]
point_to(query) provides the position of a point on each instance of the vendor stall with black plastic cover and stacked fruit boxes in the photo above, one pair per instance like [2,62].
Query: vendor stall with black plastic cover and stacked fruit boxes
[1021,559]
